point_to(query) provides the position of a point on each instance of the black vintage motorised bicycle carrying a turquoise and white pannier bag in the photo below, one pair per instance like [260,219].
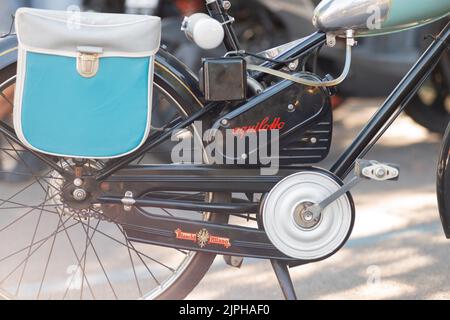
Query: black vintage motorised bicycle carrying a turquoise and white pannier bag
[110,215]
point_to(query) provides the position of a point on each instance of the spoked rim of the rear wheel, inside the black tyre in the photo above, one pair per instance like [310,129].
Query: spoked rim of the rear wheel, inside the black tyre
[56,256]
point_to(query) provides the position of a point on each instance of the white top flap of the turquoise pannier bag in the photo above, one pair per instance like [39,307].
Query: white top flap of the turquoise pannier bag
[63,32]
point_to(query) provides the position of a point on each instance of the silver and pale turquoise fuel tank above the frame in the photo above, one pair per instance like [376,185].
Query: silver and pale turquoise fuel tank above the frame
[376,17]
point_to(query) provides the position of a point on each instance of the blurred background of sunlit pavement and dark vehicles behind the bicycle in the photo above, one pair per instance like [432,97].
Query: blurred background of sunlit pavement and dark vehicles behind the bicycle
[398,249]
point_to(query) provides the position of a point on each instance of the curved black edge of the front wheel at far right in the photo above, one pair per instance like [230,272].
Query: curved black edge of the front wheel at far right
[443,183]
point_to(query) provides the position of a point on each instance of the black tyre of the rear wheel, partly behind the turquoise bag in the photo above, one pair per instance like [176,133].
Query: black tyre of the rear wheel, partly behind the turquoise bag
[183,91]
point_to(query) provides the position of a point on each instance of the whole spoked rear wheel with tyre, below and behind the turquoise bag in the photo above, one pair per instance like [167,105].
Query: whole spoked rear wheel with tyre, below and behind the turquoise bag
[51,250]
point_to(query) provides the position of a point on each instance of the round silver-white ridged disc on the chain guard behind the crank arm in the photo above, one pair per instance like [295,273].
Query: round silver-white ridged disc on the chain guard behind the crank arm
[289,226]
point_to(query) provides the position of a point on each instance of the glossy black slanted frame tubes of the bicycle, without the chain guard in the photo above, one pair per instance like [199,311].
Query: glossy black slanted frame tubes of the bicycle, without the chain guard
[364,142]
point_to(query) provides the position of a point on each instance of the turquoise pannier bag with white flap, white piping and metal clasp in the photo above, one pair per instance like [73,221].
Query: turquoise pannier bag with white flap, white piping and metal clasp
[84,82]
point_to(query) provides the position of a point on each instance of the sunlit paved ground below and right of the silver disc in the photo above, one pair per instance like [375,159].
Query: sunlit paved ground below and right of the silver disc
[397,250]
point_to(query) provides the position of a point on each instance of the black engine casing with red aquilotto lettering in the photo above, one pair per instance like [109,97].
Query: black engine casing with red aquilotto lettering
[302,114]
